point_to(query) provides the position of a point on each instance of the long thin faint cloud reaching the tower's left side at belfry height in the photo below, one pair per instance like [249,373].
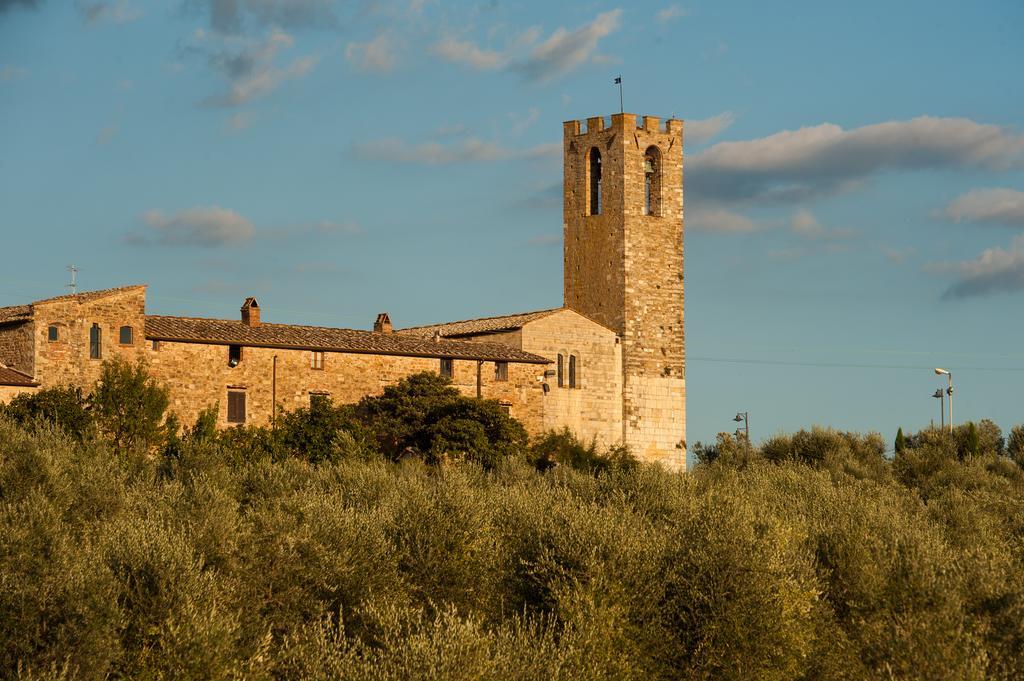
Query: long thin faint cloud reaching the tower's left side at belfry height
[472,150]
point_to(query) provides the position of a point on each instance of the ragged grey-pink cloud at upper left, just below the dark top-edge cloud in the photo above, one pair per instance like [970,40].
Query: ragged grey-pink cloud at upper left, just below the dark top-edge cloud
[249,66]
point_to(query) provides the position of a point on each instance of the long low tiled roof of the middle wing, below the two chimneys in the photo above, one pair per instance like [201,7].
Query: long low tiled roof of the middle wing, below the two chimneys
[227,332]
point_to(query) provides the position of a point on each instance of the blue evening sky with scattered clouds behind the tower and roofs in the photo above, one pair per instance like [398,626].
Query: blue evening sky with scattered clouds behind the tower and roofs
[855,177]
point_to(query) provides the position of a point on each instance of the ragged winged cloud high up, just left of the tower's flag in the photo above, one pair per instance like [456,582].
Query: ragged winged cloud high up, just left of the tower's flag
[562,53]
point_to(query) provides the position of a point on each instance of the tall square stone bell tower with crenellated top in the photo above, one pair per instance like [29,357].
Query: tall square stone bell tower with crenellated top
[624,266]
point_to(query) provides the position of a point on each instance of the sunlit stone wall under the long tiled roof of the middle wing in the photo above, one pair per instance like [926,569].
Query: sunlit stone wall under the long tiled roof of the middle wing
[198,375]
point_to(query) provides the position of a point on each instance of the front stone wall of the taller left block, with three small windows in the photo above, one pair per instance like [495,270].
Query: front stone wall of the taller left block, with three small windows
[66,361]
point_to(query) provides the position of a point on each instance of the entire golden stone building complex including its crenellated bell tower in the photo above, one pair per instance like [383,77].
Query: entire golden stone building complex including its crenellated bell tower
[610,364]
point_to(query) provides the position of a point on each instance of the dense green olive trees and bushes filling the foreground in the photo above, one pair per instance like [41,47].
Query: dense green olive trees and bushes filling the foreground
[312,551]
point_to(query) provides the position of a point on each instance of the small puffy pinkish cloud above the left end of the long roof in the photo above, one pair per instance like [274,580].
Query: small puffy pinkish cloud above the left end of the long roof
[197,227]
